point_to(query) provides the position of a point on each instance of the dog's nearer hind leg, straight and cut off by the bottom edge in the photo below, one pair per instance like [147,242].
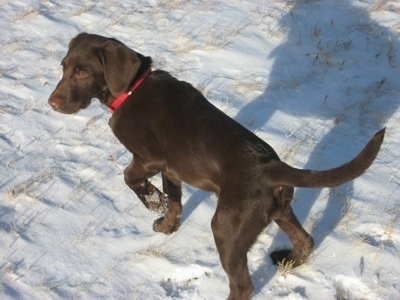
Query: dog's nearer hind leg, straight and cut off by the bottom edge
[235,229]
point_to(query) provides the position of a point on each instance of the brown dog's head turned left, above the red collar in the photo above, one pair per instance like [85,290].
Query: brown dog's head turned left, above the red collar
[95,67]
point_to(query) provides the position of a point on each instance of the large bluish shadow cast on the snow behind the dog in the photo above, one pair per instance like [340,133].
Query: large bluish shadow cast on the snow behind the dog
[347,53]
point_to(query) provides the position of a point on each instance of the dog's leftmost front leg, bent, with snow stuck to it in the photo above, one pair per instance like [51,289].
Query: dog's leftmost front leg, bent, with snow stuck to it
[135,176]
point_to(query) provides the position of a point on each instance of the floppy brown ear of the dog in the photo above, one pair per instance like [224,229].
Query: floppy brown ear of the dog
[120,66]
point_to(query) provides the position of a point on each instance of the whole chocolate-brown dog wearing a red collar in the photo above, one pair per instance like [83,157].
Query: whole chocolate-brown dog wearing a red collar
[170,127]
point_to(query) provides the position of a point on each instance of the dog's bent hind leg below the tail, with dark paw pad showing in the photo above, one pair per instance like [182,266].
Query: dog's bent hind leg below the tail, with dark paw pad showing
[302,242]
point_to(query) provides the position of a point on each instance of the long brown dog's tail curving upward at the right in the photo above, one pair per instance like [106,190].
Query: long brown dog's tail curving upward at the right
[283,174]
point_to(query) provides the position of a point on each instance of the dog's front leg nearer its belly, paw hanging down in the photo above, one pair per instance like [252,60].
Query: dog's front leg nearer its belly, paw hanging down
[171,221]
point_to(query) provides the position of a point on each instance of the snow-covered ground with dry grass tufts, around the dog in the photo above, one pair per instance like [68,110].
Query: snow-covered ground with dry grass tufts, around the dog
[315,79]
